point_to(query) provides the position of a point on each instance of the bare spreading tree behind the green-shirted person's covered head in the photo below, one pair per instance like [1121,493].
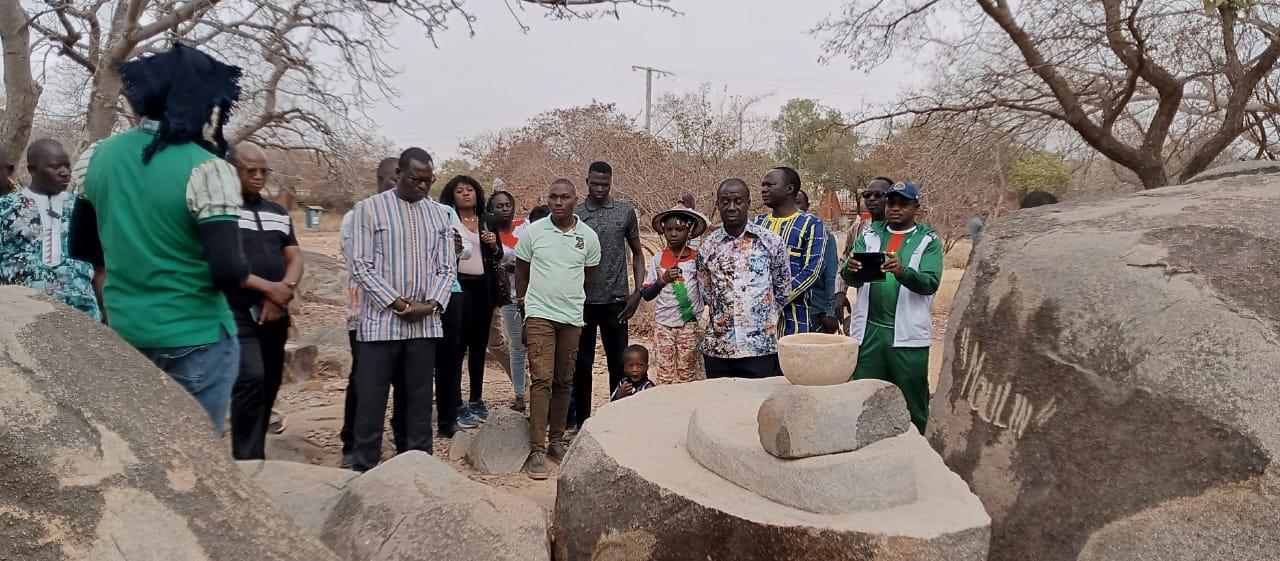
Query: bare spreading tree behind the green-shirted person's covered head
[313,67]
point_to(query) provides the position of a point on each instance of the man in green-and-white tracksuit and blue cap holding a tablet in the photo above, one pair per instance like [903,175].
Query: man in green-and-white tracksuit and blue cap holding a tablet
[892,318]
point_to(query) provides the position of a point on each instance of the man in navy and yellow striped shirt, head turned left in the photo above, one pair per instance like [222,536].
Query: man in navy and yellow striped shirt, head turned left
[806,238]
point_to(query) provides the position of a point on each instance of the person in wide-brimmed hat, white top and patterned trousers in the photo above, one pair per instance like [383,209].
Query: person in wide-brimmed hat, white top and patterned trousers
[673,281]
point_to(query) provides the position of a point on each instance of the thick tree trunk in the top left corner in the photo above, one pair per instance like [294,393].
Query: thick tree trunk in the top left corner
[21,90]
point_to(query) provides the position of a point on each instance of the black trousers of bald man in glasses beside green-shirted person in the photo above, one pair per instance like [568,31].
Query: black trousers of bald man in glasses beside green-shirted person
[258,384]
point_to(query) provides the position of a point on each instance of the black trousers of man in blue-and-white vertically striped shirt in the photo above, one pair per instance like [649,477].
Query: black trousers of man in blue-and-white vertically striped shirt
[410,364]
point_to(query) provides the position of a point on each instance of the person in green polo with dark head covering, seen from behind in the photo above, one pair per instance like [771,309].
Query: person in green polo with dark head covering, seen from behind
[158,215]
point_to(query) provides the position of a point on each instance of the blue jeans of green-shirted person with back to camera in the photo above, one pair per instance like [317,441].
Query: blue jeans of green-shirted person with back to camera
[208,372]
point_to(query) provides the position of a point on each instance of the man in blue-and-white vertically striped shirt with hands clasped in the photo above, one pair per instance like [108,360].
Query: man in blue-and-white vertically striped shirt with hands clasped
[404,261]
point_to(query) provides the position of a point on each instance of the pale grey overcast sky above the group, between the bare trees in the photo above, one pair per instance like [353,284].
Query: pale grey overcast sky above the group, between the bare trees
[504,76]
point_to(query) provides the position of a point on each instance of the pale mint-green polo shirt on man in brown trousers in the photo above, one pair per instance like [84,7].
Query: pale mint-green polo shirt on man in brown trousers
[557,270]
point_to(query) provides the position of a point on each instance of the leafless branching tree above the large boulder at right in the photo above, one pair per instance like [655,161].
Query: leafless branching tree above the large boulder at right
[1162,89]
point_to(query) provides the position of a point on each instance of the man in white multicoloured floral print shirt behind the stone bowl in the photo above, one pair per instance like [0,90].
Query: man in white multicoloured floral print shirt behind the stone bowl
[746,280]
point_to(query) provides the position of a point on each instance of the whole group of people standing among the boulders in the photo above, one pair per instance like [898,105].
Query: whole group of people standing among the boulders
[163,234]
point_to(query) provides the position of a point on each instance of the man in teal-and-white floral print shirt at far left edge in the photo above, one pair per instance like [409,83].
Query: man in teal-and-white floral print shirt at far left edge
[34,226]
